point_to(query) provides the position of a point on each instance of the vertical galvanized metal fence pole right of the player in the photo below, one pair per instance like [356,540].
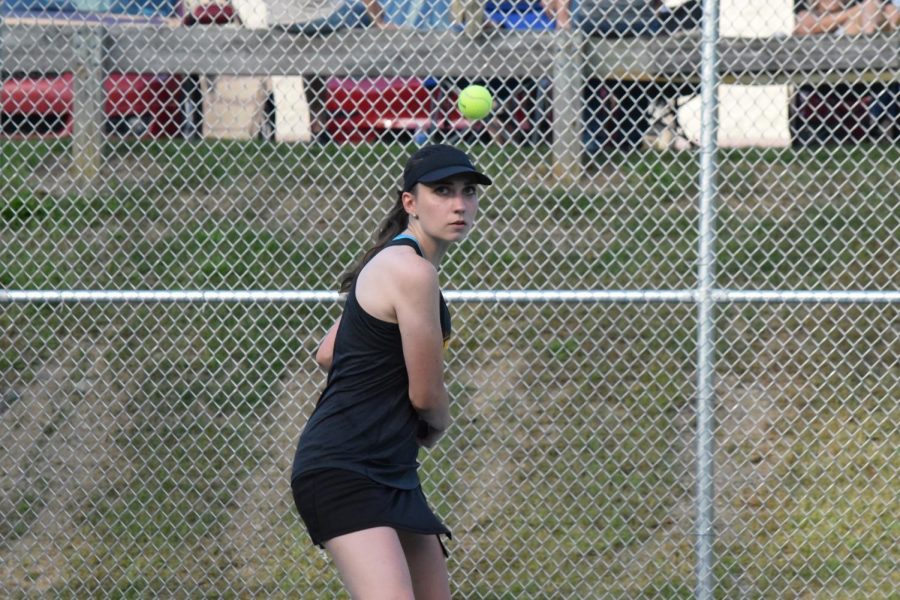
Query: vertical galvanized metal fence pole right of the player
[706,305]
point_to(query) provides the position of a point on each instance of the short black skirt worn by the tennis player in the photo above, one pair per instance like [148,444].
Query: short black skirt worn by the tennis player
[334,502]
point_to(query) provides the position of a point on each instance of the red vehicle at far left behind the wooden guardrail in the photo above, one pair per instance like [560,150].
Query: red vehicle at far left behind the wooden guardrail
[138,104]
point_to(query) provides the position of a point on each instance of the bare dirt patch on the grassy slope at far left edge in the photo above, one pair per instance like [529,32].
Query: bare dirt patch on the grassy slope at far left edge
[58,452]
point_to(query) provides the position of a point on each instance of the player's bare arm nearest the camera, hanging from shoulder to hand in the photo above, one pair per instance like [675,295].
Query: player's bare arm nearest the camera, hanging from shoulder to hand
[417,308]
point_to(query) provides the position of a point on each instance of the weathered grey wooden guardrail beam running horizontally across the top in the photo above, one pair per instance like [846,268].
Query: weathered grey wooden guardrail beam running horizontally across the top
[232,51]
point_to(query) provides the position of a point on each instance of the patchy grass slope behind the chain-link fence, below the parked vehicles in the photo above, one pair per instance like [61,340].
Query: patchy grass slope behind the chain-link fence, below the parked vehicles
[570,470]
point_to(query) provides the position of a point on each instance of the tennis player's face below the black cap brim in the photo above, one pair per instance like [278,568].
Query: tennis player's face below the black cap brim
[446,209]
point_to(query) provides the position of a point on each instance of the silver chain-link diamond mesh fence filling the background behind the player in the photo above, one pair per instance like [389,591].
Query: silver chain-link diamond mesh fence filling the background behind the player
[183,183]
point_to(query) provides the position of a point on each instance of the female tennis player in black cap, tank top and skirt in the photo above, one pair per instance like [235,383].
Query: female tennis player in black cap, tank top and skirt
[354,479]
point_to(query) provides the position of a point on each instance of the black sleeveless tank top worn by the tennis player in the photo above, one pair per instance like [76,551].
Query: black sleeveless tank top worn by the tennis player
[364,421]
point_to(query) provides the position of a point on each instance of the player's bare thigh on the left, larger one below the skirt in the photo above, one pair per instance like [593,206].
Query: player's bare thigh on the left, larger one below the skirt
[372,564]
